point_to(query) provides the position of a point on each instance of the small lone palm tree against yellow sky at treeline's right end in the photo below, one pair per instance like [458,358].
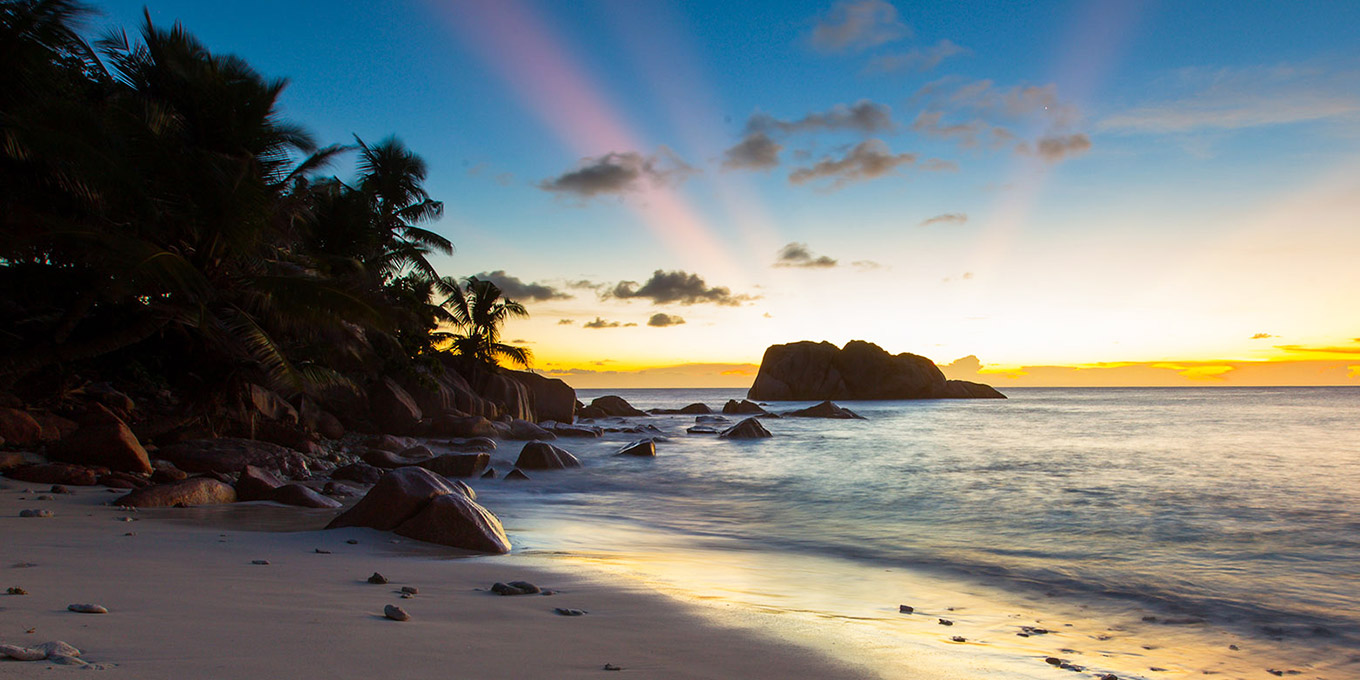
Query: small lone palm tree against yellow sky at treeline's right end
[479,312]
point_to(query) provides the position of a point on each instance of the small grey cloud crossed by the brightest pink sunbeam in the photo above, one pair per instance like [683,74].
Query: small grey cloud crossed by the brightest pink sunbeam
[621,173]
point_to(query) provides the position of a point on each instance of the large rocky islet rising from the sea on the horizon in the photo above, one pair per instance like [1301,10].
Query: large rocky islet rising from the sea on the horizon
[811,372]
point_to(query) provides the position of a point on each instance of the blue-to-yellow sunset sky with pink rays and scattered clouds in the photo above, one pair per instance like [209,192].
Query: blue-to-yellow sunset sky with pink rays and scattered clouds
[1029,194]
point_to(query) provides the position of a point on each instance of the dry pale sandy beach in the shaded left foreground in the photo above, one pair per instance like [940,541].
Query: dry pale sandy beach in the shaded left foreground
[187,600]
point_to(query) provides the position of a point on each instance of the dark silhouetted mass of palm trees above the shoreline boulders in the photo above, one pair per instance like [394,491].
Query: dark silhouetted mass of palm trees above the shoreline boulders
[163,224]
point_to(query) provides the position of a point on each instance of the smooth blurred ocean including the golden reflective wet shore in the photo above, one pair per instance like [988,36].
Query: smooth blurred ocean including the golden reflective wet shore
[1143,532]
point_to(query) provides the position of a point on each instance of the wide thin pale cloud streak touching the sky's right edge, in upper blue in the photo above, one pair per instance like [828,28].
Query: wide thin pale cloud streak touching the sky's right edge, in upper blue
[1246,97]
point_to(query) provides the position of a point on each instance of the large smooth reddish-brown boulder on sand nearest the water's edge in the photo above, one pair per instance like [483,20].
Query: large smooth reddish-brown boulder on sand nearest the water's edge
[424,507]
